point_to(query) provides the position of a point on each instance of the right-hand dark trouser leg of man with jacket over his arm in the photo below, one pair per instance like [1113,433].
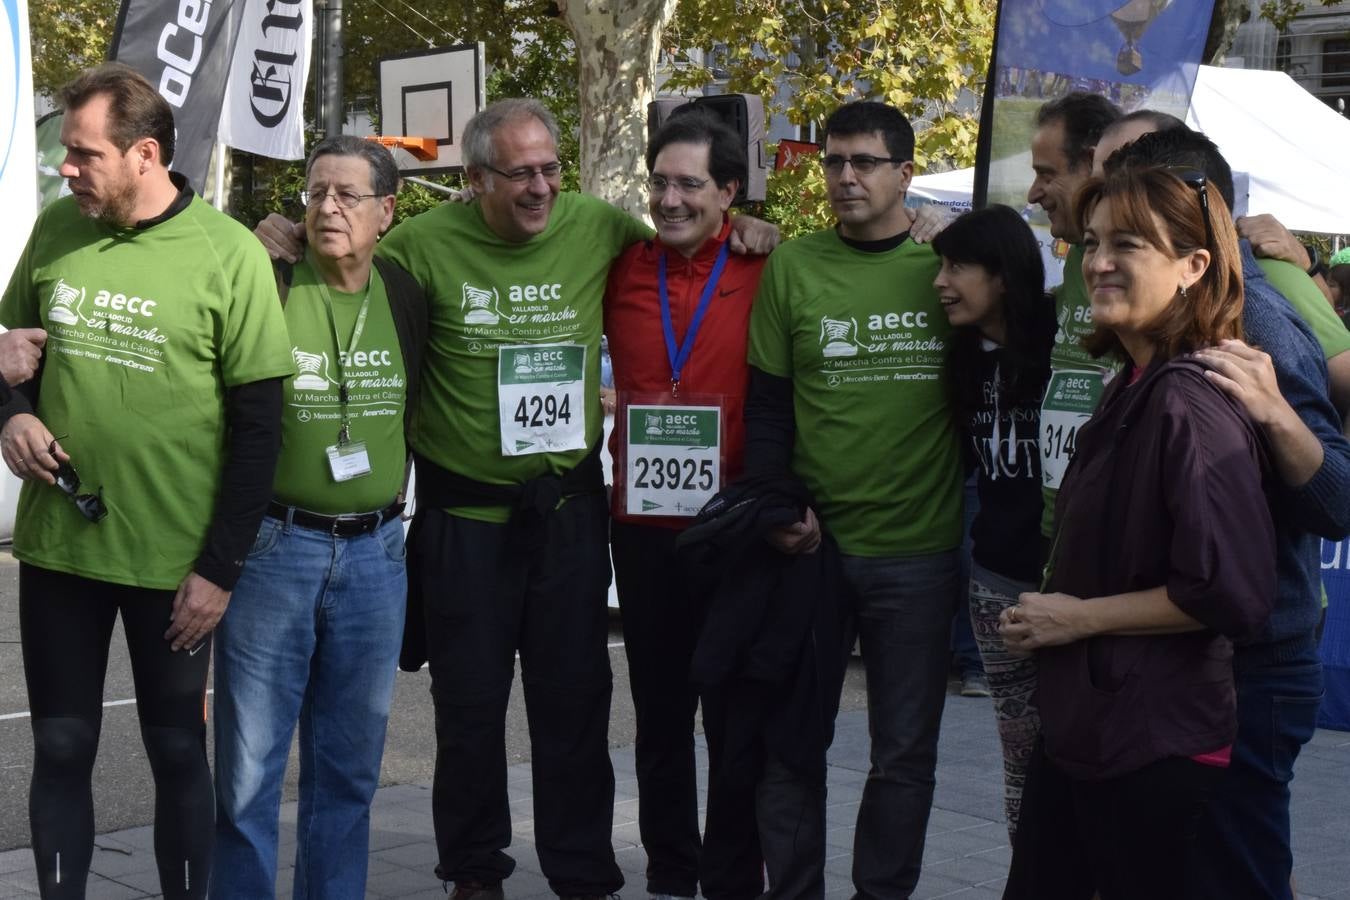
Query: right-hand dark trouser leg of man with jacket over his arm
[905,608]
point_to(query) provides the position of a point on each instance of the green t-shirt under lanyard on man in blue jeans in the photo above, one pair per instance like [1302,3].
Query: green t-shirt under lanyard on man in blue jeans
[377,388]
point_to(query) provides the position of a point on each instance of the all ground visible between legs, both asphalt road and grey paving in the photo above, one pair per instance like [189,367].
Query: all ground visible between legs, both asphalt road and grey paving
[967,848]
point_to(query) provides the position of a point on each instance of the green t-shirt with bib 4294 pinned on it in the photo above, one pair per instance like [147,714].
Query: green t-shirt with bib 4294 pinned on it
[487,295]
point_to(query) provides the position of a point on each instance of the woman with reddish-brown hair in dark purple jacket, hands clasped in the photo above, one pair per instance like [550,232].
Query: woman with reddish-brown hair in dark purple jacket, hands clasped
[1163,507]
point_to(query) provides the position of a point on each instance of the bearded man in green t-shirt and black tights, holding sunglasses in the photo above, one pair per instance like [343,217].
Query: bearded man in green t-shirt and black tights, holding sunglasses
[146,457]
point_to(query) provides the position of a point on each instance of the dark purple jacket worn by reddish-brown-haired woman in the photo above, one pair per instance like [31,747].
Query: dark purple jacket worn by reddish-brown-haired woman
[1166,488]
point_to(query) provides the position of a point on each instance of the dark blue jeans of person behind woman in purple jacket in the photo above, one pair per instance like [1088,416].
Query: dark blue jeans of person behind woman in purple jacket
[1244,848]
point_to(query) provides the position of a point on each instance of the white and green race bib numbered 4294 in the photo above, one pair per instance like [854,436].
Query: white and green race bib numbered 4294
[541,399]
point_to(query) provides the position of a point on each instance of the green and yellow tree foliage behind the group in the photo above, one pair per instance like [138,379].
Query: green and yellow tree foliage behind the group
[917,55]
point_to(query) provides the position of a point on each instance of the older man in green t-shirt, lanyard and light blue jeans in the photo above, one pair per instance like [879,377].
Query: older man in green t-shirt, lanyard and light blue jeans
[317,623]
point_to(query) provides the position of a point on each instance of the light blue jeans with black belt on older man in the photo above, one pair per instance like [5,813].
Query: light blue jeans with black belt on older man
[313,634]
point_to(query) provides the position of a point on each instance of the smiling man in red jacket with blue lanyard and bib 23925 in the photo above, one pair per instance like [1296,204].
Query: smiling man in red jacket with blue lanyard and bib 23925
[677,311]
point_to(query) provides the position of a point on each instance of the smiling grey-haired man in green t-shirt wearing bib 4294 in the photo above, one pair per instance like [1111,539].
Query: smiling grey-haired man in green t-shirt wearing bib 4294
[510,546]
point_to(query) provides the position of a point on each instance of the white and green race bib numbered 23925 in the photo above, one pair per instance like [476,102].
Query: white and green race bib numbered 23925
[673,459]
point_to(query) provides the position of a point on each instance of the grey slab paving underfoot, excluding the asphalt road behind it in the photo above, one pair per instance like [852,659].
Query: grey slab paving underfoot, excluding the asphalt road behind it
[967,847]
